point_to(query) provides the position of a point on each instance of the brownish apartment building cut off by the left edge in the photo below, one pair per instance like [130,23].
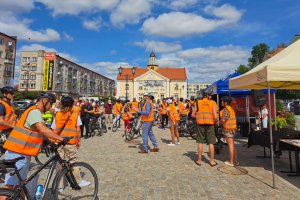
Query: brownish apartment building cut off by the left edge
[7,59]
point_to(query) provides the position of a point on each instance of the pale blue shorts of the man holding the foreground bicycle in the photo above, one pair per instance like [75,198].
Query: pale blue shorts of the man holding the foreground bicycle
[21,164]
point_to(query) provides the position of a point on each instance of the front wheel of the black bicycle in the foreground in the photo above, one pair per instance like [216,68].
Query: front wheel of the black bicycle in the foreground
[86,178]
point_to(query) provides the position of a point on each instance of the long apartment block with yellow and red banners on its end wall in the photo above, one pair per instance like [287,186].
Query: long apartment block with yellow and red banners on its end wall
[47,71]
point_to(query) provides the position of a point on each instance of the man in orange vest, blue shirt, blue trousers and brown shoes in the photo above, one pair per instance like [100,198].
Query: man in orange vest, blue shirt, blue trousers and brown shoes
[147,117]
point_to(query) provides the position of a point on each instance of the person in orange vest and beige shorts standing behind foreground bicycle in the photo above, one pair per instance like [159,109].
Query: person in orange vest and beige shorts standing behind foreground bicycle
[67,123]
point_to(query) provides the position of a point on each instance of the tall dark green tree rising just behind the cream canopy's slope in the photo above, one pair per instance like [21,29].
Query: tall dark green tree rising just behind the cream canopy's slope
[258,52]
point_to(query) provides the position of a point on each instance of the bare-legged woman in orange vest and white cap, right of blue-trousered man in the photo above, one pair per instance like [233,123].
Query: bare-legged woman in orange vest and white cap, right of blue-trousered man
[173,121]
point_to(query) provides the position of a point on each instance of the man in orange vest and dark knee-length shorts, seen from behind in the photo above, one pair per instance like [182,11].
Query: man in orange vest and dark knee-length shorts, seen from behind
[206,116]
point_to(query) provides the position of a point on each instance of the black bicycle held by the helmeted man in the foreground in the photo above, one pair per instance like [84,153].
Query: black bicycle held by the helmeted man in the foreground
[71,188]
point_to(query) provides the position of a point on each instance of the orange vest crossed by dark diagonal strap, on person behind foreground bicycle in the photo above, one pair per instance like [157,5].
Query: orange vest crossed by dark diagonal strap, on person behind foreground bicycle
[70,129]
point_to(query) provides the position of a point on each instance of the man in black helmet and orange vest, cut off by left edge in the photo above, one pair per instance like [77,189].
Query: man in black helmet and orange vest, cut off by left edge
[8,118]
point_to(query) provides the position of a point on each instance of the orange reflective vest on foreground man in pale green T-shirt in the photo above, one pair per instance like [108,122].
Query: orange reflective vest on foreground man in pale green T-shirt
[23,140]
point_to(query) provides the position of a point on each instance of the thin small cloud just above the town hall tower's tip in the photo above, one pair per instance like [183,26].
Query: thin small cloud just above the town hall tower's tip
[158,46]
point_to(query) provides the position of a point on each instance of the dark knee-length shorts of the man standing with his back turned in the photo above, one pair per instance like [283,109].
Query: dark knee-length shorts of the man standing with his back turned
[205,134]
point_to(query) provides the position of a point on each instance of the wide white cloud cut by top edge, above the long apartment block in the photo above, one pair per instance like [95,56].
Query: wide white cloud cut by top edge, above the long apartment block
[76,7]
